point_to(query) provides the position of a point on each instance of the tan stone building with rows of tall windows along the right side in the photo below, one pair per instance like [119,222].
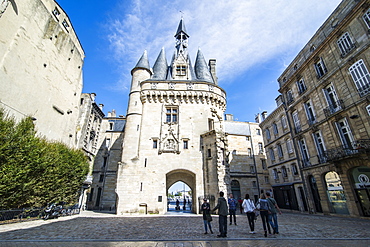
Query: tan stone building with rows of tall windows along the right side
[325,91]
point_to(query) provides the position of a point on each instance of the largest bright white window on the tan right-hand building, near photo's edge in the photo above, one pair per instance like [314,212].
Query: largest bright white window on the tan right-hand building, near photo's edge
[361,77]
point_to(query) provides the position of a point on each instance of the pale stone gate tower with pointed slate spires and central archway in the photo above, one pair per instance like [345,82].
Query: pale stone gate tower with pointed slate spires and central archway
[171,107]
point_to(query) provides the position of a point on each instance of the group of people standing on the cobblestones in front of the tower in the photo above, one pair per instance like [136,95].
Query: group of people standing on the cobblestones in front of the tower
[266,206]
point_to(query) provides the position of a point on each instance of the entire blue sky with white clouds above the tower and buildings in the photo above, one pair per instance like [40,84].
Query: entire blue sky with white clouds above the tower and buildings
[252,41]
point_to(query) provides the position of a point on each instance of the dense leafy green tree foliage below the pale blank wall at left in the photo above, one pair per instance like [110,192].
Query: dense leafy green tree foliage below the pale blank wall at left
[34,171]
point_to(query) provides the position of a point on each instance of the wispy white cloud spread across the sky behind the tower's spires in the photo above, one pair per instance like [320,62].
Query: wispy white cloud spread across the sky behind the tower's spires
[239,34]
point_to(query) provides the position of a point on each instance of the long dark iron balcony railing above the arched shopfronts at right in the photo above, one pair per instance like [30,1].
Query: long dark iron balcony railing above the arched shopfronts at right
[342,152]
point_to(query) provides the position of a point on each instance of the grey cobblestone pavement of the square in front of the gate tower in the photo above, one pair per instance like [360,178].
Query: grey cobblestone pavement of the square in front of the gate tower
[98,229]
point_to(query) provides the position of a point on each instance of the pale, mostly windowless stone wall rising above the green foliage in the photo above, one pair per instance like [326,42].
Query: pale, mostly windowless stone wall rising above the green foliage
[41,67]
